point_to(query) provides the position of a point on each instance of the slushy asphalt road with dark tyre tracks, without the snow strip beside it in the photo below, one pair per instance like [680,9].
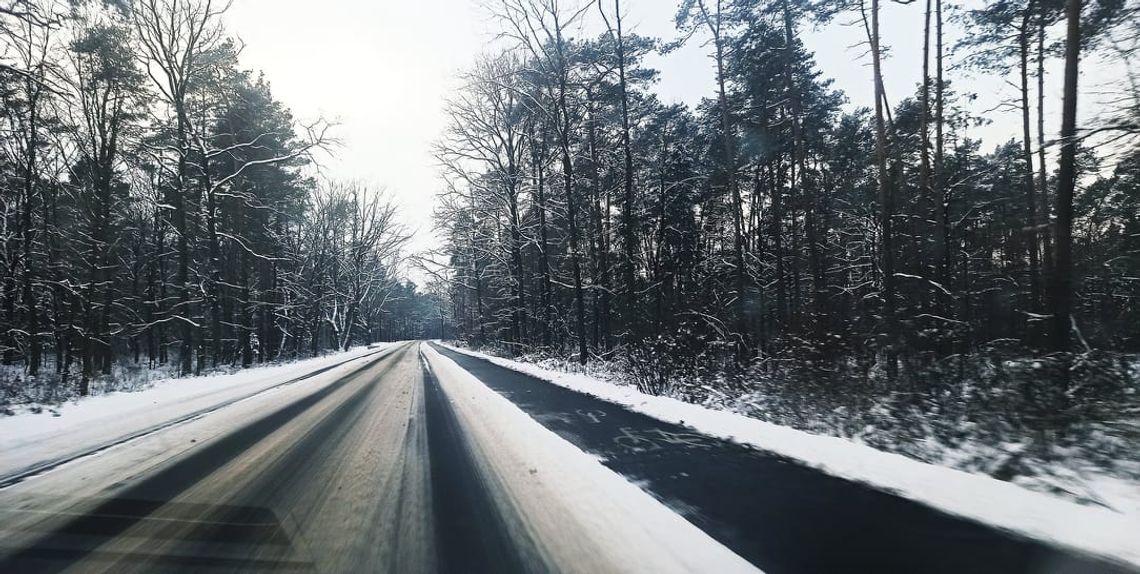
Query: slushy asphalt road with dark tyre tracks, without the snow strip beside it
[340,479]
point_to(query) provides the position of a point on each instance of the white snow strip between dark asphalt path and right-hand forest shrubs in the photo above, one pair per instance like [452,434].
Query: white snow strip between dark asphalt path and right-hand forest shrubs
[1003,505]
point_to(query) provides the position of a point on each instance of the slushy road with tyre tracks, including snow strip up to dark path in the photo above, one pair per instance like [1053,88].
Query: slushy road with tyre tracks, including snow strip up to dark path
[396,463]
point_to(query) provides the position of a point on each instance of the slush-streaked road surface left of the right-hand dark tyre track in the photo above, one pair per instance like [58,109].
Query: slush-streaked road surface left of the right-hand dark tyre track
[298,479]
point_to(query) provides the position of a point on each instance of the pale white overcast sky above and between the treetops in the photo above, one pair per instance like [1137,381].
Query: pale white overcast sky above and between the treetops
[384,69]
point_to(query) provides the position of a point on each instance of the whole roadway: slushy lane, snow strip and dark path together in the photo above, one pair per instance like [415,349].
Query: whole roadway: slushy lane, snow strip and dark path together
[413,463]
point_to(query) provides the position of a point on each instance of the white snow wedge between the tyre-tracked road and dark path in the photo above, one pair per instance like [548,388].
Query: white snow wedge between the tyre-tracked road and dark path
[584,516]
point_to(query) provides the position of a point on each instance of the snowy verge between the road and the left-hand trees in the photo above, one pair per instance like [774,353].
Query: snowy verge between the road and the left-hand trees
[30,439]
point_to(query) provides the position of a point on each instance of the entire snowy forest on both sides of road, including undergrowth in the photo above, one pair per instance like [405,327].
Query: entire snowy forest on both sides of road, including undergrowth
[878,274]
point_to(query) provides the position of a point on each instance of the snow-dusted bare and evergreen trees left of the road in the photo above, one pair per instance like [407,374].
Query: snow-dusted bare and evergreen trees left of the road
[156,206]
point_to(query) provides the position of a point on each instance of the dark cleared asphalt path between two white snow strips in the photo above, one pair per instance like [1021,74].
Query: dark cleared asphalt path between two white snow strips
[780,515]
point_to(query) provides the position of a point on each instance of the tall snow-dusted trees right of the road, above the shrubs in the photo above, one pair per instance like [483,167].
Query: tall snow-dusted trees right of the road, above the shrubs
[583,215]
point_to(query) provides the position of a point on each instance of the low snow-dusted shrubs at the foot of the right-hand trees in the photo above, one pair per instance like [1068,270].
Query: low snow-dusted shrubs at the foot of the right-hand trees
[1053,423]
